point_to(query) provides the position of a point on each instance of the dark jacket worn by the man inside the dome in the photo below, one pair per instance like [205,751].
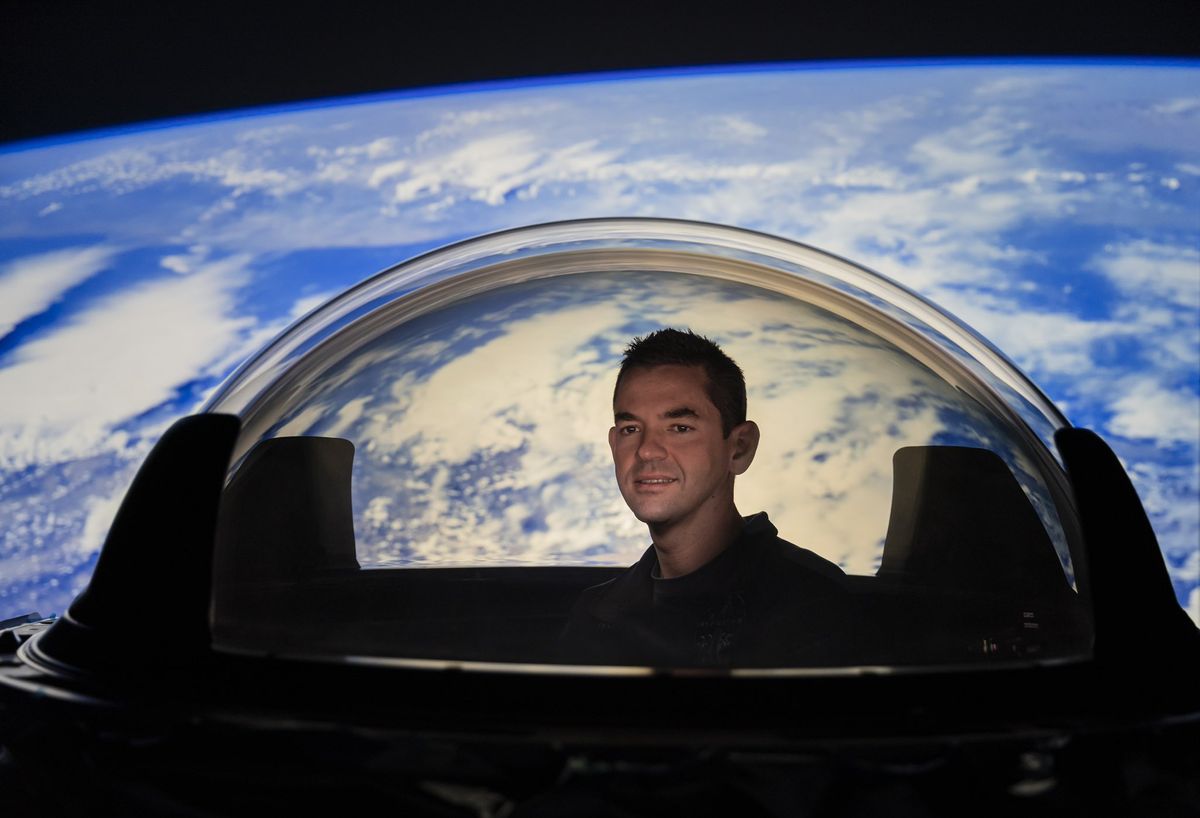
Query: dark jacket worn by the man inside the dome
[761,603]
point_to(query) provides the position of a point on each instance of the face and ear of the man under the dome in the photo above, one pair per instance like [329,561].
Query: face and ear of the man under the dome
[670,455]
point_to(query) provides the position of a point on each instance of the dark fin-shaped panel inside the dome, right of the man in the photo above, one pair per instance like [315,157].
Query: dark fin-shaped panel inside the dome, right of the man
[968,570]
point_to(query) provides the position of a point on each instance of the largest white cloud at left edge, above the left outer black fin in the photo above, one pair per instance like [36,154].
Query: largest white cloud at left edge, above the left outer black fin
[125,354]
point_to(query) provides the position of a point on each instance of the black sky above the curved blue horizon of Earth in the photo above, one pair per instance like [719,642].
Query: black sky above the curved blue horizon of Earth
[73,65]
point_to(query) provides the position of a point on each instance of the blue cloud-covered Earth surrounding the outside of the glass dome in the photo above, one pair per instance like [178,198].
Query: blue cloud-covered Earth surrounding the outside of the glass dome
[1052,207]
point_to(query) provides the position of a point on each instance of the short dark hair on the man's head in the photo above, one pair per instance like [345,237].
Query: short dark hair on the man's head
[727,386]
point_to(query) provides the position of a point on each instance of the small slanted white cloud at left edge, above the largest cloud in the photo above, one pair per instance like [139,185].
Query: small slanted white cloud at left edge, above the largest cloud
[31,285]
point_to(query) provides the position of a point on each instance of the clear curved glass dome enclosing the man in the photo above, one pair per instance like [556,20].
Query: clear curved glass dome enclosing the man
[424,470]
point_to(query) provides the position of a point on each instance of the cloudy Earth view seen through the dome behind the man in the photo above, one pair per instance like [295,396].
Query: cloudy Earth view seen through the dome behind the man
[481,429]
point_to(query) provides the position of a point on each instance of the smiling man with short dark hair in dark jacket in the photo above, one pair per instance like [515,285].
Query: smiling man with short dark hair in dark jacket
[715,590]
